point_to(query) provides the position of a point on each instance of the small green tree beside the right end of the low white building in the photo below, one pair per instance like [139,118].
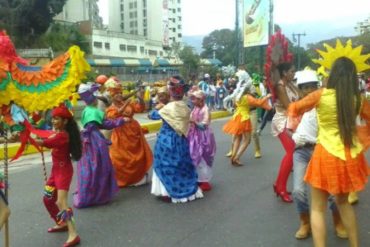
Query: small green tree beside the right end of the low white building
[190,59]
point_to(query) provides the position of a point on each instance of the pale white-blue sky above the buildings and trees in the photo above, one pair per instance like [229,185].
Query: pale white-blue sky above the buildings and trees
[314,17]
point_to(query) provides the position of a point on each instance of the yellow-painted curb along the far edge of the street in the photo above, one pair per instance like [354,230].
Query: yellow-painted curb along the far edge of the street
[152,127]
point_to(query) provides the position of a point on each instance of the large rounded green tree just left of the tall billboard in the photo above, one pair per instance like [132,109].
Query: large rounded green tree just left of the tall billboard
[223,43]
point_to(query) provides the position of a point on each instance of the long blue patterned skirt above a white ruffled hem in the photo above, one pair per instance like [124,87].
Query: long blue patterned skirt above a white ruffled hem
[173,164]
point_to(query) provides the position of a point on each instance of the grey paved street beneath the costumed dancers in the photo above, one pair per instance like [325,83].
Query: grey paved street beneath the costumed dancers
[241,210]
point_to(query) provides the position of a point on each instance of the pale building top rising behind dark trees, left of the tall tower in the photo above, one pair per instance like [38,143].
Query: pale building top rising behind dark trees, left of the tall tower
[81,10]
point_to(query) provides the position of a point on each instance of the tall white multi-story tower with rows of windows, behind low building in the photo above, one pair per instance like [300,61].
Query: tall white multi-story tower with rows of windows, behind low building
[157,20]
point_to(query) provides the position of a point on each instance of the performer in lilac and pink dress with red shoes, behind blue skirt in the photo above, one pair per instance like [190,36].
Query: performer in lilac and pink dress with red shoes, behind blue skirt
[202,142]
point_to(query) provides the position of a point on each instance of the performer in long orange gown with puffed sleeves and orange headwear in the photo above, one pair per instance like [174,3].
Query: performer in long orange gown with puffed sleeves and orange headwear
[130,153]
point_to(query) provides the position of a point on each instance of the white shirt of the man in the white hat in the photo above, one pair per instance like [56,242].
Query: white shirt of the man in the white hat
[307,129]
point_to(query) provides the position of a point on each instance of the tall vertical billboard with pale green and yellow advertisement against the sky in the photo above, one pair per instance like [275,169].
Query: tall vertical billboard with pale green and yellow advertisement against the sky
[256,18]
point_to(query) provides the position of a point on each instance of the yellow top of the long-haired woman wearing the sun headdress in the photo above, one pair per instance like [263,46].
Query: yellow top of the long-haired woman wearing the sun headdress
[328,134]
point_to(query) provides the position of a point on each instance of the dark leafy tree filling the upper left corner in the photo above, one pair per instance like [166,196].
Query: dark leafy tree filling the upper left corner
[27,19]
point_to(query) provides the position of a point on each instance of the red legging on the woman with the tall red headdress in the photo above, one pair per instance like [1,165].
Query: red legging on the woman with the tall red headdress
[286,163]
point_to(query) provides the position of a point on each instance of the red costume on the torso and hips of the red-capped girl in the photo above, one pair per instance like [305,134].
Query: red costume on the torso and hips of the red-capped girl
[62,170]
